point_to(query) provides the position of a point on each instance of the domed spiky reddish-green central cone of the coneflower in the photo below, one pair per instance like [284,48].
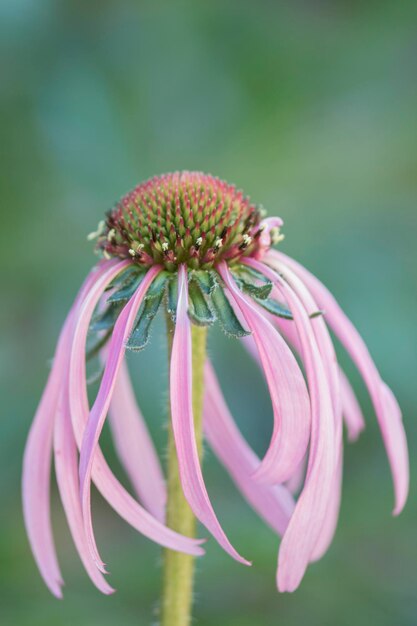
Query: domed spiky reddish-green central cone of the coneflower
[185,217]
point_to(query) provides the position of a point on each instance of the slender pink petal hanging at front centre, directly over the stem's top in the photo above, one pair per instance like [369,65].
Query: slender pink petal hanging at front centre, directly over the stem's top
[183,422]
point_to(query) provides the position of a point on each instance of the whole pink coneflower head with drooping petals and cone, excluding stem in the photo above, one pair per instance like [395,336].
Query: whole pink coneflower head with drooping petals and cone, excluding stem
[196,246]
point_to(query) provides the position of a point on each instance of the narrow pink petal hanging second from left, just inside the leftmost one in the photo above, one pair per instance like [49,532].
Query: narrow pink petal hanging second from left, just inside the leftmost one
[66,468]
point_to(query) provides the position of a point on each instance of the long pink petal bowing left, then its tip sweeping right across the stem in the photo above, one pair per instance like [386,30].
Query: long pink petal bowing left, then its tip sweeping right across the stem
[111,489]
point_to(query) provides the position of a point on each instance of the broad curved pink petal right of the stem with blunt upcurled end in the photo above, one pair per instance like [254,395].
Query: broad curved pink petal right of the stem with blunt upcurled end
[287,389]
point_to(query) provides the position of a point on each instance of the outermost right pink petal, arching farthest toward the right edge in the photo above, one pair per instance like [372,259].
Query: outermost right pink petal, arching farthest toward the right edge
[392,428]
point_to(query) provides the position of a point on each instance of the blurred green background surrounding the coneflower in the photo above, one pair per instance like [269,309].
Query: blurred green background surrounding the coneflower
[311,108]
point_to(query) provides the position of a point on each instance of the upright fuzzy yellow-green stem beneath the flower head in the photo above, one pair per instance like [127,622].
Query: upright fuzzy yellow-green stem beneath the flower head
[178,570]
